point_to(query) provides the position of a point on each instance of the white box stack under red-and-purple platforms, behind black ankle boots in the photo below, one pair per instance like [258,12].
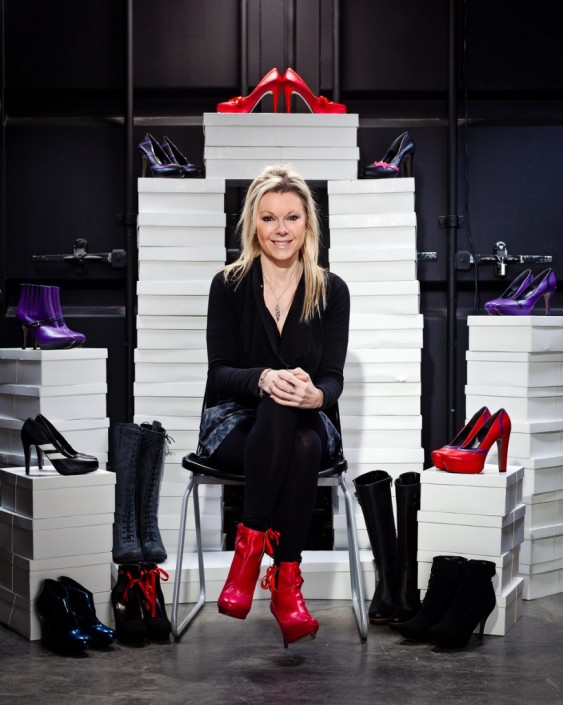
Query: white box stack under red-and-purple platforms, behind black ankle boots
[479,517]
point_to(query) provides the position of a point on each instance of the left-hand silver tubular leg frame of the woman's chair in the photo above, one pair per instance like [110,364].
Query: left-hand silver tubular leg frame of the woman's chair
[179,629]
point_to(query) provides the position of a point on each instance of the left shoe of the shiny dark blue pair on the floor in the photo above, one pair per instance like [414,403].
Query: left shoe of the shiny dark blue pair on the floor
[59,626]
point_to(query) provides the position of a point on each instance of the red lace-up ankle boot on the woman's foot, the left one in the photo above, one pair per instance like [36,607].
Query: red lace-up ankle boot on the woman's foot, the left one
[235,599]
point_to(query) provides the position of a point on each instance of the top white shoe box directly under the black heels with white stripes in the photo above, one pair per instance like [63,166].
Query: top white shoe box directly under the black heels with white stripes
[48,495]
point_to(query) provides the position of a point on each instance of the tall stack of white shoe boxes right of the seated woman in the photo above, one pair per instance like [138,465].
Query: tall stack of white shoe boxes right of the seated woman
[373,248]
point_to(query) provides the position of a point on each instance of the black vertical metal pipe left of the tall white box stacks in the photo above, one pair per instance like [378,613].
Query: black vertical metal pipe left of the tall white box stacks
[130,218]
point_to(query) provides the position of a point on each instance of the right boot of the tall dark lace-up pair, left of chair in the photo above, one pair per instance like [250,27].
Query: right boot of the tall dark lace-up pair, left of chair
[149,474]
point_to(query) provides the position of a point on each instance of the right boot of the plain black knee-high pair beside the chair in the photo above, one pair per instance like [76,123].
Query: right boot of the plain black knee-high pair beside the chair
[407,496]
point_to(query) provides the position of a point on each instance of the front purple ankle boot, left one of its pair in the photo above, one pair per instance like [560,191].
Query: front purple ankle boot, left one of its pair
[35,315]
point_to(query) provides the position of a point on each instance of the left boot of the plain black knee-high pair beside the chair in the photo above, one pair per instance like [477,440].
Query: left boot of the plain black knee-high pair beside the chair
[373,490]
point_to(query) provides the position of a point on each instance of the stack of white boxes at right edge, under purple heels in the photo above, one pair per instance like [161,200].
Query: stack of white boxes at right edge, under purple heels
[516,362]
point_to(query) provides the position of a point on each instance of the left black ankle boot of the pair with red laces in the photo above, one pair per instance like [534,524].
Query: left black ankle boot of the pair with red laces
[126,600]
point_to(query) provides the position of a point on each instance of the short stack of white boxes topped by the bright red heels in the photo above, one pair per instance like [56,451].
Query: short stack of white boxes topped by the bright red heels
[318,147]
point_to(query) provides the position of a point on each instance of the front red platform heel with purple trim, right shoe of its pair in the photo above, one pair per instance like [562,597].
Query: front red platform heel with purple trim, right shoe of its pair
[470,459]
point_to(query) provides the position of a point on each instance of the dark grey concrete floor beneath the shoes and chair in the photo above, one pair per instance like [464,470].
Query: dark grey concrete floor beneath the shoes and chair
[225,661]
